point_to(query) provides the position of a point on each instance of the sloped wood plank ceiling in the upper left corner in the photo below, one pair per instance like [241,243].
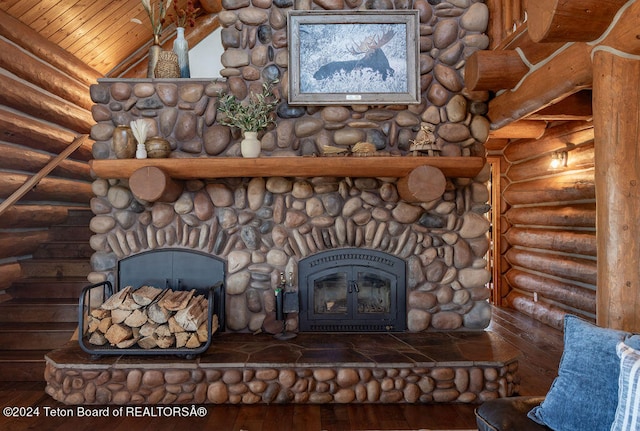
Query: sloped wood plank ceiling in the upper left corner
[103,34]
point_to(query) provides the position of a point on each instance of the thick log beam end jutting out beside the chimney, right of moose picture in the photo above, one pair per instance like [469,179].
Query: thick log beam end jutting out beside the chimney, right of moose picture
[494,70]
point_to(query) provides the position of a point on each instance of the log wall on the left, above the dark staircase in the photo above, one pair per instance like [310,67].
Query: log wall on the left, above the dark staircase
[44,106]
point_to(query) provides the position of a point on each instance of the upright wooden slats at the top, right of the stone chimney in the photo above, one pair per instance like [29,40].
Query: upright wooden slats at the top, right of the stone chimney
[506,17]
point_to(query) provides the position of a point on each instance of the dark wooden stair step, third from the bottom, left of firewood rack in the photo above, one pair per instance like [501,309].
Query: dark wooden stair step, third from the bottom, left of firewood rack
[39,310]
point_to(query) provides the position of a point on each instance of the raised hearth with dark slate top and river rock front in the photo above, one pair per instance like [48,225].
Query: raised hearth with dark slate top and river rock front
[310,368]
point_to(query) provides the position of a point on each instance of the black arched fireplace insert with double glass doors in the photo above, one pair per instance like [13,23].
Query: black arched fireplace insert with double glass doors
[353,290]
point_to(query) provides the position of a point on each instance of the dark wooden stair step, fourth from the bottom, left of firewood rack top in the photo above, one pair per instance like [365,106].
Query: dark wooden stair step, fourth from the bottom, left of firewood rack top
[43,287]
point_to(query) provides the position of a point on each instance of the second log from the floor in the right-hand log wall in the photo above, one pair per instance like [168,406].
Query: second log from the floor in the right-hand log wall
[567,294]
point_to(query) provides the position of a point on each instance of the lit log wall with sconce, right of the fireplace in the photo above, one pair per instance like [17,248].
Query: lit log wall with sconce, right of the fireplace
[548,217]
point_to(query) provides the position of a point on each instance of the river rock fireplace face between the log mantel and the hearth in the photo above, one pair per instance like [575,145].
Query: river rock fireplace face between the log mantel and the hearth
[263,227]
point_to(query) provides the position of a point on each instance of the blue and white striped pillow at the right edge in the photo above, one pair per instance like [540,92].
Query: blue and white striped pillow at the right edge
[627,417]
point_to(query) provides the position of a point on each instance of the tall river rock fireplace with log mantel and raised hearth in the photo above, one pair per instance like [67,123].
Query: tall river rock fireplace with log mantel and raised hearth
[410,272]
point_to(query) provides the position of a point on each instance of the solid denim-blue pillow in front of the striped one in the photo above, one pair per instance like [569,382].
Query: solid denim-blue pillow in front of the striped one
[584,395]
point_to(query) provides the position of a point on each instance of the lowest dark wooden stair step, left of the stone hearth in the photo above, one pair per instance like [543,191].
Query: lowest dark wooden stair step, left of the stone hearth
[22,365]
